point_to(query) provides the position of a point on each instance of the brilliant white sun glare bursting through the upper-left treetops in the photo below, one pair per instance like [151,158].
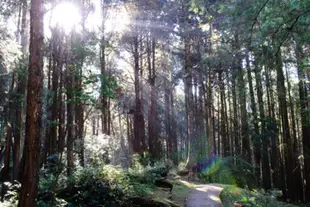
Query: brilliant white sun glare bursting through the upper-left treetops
[65,15]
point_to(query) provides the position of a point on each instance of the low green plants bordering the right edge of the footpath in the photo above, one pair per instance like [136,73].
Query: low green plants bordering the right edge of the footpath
[255,198]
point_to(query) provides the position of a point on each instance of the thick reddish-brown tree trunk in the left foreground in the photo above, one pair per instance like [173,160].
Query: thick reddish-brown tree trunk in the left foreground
[29,187]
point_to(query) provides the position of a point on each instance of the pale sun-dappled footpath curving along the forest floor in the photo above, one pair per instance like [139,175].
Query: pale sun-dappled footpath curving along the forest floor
[205,196]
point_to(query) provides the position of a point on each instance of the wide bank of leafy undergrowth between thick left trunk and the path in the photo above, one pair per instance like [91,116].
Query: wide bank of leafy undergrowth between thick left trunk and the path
[103,185]
